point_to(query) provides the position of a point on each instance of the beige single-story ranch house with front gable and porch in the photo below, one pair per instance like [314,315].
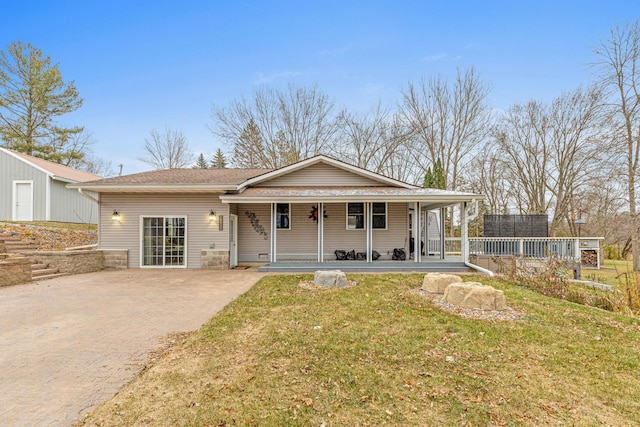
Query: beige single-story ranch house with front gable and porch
[292,218]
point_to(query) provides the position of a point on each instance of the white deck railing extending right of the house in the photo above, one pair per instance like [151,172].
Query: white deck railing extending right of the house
[529,247]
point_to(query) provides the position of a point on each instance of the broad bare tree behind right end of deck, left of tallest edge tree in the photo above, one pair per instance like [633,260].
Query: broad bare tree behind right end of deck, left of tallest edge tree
[553,151]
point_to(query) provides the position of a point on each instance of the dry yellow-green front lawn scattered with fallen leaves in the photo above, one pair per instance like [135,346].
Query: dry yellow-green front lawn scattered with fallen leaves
[379,354]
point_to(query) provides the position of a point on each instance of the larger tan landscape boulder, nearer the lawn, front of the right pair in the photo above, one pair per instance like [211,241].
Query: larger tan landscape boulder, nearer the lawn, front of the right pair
[475,295]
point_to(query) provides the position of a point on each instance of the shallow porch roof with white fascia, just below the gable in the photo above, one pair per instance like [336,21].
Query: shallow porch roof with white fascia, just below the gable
[432,198]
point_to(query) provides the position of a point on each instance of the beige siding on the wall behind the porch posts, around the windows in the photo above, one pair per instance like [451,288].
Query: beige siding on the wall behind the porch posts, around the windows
[301,241]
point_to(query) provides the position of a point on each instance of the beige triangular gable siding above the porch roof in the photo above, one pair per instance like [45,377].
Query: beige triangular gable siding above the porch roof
[320,174]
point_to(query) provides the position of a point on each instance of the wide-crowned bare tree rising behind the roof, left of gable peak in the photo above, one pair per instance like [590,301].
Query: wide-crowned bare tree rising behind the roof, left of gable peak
[276,127]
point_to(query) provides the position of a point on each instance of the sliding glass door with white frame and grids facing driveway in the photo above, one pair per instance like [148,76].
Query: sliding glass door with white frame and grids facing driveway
[164,241]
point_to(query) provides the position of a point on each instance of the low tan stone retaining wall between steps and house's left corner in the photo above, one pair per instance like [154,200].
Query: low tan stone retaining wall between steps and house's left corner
[69,262]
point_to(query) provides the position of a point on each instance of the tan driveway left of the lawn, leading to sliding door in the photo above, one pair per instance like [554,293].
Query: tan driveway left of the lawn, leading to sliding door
[70,343]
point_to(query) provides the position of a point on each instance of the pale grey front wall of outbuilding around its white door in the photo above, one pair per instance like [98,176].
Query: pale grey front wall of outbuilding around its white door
[12,169]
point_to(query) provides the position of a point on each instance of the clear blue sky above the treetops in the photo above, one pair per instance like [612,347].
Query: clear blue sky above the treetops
[141,65]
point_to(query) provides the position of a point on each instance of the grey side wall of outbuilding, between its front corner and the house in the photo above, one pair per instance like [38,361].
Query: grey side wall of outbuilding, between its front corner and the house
[70,206]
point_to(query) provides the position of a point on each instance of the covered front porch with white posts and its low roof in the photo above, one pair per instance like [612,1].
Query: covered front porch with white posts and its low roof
[297,232]
